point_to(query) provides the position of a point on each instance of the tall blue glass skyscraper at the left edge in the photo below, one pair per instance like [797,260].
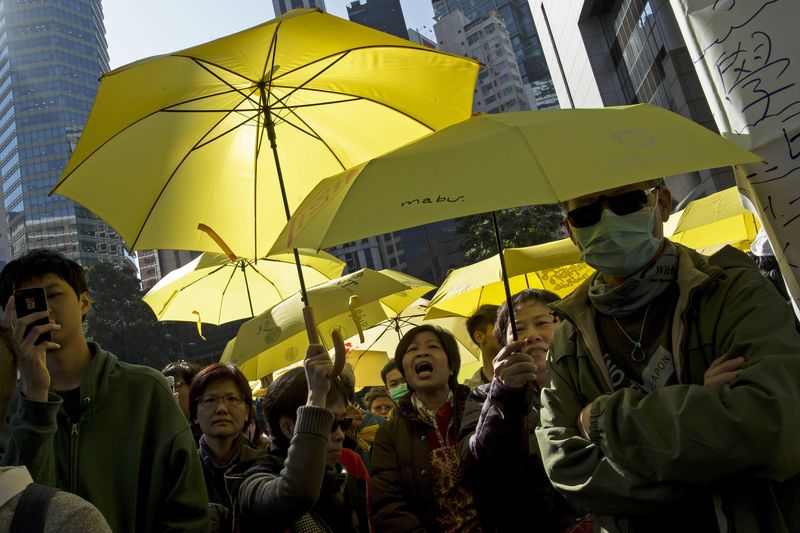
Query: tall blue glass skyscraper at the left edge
[52,54]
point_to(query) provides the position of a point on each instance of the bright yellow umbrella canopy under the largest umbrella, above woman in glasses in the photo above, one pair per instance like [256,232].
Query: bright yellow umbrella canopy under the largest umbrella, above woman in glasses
[215,290]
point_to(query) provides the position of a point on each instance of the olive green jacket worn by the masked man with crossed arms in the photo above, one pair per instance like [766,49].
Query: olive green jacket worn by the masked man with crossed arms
[736,446]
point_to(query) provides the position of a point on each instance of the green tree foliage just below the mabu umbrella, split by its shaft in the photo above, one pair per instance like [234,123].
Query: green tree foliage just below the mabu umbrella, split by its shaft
[521,226]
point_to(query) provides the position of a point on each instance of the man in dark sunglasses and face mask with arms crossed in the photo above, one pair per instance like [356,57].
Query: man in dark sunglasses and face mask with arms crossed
[673,380]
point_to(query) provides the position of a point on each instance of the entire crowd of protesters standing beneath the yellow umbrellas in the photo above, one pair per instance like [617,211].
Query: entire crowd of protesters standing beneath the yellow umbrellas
[661,395]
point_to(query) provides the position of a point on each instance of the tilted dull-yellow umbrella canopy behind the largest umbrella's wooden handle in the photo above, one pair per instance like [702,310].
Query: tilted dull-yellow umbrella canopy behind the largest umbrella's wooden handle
[277,337]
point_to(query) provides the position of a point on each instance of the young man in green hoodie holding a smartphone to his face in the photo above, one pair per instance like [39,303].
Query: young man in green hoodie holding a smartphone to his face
[85,422]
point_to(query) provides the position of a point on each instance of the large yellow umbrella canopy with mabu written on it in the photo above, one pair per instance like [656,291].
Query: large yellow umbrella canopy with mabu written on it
[492,162]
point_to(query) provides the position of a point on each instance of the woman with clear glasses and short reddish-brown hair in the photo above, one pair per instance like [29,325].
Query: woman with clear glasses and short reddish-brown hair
[220,405]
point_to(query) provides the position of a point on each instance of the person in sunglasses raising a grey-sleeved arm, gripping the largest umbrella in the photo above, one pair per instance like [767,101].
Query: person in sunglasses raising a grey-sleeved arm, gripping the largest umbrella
[301,484]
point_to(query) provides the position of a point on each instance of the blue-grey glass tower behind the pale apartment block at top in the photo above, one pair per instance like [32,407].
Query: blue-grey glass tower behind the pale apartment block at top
[516,14]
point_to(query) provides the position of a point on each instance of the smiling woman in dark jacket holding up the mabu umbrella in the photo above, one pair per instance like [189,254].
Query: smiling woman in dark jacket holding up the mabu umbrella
[498,448]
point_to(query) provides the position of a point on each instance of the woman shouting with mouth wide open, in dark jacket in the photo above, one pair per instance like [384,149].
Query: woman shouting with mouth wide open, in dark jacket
[416,468]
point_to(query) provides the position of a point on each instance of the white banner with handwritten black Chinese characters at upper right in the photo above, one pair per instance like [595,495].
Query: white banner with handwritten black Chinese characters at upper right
[746,56]
